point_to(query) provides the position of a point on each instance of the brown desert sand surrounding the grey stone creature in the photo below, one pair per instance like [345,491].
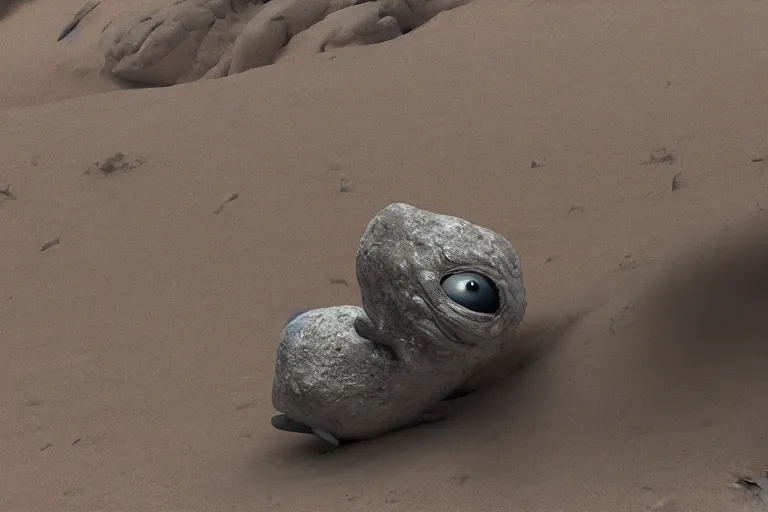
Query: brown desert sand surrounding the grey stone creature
[138,351]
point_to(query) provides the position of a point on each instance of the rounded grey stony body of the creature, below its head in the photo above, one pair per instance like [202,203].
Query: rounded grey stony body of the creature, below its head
[340,380]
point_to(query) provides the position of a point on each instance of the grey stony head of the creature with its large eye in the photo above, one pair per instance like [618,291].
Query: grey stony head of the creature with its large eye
[435,280]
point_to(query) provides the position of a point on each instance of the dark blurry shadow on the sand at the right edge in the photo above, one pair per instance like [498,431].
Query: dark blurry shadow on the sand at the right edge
[708,315]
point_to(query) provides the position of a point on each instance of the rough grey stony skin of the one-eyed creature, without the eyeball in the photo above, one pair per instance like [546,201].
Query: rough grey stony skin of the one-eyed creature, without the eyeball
[361,372]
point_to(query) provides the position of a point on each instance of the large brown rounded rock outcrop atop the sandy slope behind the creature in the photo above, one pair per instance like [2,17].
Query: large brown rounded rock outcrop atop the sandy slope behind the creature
[167,42]
